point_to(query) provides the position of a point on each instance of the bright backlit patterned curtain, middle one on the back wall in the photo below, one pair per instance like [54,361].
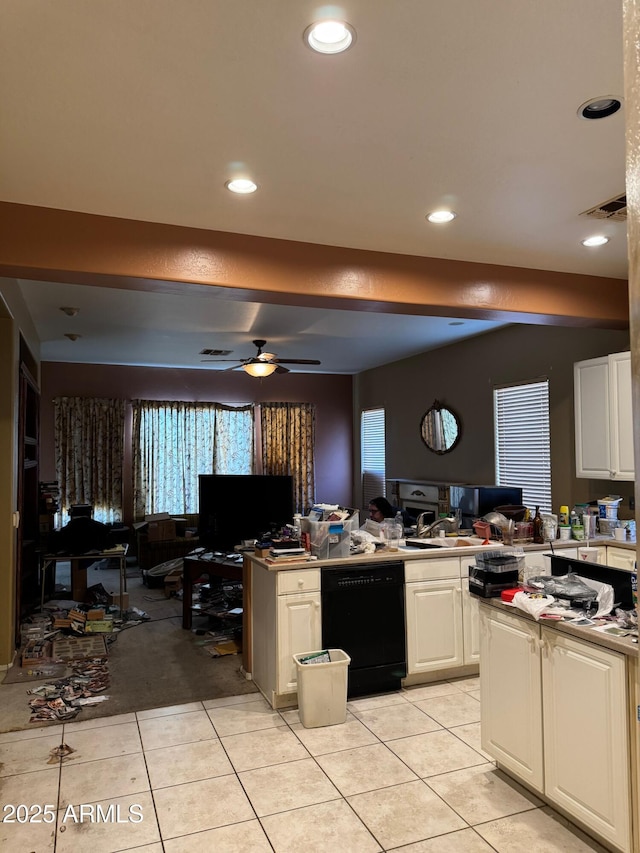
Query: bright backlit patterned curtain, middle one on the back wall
[174,442]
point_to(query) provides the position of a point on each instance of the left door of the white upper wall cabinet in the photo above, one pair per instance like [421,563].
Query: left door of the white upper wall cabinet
[591,400]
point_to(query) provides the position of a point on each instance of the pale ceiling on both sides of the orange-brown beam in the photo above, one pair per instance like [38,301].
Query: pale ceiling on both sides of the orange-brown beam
[144,108]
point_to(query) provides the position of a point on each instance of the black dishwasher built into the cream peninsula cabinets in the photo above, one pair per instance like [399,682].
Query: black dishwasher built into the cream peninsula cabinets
[363,614]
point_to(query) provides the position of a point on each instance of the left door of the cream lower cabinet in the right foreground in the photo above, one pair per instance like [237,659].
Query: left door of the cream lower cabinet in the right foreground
[511,694]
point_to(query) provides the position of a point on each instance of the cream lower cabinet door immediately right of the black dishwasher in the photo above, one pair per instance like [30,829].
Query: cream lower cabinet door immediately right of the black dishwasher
[434,625]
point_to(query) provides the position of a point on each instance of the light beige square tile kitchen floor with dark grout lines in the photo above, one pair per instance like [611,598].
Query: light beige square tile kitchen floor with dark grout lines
[233,776]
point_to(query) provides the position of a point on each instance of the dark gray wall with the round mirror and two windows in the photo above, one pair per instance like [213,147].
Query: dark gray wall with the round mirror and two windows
[463,376]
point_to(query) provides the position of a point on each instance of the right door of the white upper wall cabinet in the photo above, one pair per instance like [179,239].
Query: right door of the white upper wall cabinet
[621,416]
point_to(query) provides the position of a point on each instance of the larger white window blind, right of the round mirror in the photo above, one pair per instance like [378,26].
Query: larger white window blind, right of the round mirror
[523,446]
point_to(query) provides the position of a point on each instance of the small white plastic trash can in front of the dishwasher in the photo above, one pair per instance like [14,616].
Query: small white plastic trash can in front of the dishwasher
[322,689]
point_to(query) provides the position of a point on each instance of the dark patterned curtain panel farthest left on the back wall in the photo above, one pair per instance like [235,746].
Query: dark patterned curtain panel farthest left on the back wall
[89,449]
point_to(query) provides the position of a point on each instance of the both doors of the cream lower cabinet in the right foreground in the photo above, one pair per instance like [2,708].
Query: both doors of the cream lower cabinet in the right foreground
[554,715]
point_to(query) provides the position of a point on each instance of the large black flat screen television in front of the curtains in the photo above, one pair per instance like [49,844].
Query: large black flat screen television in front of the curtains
[234,507]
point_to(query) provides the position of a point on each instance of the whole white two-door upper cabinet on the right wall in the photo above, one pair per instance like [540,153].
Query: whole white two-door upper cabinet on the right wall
[604,418]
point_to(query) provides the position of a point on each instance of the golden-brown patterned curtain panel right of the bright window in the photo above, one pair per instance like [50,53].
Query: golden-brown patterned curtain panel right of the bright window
[288,440]
